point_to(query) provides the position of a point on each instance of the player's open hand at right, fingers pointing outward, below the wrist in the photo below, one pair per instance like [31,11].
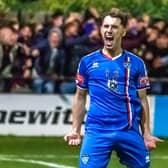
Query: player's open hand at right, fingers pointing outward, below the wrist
[151,141]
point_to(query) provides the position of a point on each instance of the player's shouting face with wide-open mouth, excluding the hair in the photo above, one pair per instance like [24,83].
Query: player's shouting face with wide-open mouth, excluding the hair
[112,32]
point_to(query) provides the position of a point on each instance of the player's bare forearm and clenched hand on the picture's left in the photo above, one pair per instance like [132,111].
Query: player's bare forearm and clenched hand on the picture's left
[78,113]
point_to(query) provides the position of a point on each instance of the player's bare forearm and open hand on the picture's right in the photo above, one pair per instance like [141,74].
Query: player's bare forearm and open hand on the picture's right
[150,141]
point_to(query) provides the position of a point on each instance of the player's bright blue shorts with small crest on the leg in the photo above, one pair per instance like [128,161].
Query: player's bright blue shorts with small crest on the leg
[97,147]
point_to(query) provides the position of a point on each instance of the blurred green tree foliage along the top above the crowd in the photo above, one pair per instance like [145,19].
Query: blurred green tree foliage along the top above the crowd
[155,8]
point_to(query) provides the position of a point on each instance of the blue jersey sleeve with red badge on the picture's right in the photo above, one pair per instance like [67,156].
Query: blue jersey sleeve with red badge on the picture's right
[142,81]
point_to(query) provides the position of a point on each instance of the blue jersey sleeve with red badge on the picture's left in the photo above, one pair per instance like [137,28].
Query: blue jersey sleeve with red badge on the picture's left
[81,76]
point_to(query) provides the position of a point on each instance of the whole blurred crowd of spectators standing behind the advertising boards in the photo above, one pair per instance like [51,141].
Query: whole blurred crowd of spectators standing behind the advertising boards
[43,57]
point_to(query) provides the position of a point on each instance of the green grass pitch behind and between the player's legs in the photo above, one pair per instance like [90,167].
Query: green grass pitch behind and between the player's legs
[55,150]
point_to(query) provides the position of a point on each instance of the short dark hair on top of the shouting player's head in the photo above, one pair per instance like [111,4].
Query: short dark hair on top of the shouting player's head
[115,12]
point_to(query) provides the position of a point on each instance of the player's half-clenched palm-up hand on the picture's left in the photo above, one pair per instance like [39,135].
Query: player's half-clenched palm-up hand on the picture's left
[73,138]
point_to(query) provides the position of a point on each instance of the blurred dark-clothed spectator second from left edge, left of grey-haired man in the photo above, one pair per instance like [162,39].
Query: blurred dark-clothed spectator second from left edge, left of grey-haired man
[24,61]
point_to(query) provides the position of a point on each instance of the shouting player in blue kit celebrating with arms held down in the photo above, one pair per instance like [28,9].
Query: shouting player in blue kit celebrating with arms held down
[116,81]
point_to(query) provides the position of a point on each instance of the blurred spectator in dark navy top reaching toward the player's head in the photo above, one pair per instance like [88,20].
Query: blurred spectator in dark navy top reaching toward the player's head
[76,46]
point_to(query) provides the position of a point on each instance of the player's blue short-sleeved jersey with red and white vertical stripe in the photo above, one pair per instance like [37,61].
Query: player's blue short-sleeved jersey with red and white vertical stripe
[112,84]
